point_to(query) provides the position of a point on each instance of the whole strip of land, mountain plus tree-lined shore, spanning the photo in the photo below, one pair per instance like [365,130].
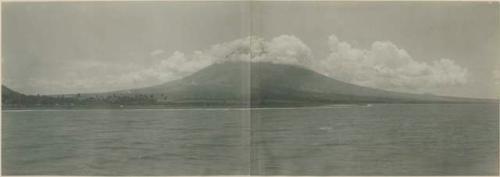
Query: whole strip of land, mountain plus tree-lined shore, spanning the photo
[243,84]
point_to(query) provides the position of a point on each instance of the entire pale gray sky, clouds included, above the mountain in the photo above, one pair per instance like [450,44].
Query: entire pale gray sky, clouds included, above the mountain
[444,48]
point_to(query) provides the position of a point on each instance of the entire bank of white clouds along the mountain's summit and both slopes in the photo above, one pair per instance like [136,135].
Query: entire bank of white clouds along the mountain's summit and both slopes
[384,65]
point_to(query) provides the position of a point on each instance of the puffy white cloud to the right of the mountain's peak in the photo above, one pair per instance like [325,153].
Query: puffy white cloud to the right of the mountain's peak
[388,67]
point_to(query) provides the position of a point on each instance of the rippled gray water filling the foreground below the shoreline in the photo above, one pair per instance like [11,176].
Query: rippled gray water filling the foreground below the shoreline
[411,139]
